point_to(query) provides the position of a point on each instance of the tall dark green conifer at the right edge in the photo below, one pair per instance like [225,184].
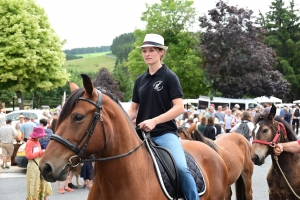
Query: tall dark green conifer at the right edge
[283,35]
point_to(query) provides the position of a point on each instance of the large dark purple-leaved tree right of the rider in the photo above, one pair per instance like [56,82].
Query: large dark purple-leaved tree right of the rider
[237,62]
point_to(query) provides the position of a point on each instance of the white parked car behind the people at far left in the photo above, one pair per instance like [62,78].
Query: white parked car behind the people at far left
[14,115]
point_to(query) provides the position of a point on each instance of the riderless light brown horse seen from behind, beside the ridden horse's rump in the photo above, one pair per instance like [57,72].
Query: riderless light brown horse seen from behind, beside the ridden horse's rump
[235,150]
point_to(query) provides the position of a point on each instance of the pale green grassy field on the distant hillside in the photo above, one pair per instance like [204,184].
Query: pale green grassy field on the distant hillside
[91,62]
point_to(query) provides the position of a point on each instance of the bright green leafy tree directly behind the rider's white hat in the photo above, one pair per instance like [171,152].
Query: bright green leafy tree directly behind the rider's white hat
[172,19]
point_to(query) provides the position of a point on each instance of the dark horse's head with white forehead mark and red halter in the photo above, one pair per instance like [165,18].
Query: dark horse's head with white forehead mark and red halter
[268,130]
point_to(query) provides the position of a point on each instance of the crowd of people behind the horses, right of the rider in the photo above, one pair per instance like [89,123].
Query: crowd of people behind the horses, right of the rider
[216,121]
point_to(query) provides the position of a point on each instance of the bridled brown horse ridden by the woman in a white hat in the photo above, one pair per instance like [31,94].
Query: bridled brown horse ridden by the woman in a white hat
[124,169]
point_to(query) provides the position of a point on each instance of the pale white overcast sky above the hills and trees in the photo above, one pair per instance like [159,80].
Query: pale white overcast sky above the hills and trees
[89,23]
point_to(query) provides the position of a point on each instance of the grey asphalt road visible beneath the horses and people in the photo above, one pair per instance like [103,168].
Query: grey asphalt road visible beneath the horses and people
[13,186]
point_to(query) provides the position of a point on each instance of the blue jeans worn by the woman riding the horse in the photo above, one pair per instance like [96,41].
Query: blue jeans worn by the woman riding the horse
[186,181]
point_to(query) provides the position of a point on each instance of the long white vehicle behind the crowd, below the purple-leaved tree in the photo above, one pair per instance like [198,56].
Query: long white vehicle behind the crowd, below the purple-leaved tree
[204,102]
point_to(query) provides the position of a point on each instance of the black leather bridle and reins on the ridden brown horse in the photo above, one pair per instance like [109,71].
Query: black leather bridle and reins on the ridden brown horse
[88,133]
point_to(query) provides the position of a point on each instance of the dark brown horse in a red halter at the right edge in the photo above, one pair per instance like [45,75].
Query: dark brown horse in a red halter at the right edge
[283,176]
